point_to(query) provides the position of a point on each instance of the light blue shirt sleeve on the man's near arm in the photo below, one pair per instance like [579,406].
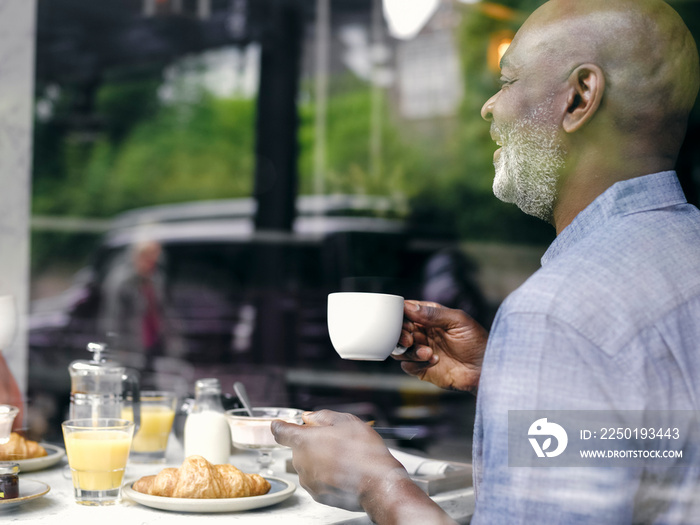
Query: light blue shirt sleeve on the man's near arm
[535,362]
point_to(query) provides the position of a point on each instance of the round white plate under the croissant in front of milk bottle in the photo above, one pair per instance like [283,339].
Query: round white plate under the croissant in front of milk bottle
[279,491]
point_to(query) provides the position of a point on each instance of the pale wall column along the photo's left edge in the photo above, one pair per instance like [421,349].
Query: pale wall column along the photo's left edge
[17,44]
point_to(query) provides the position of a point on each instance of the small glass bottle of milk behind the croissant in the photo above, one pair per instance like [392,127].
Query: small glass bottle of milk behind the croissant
[207,431]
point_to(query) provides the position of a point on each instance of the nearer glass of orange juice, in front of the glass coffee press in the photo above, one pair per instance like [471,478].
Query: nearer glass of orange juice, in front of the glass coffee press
[97,451]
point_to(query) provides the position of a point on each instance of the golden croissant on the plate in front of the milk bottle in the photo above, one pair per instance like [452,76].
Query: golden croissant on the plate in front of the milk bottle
[199,479]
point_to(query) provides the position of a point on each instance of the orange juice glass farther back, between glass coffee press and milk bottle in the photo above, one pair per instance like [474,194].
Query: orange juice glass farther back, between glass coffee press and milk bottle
[157,415]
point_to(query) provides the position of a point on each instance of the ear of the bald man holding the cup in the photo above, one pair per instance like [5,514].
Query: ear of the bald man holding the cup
[586,87]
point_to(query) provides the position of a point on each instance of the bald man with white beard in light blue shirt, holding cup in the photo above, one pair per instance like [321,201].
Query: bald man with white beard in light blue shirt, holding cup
[590,118]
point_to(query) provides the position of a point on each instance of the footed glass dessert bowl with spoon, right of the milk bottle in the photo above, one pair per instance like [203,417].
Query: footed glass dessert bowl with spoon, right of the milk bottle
[254,433]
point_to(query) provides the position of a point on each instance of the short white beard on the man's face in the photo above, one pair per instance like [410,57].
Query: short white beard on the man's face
[529,164]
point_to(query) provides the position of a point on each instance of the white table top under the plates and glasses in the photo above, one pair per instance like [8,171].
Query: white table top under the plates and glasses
[58,506]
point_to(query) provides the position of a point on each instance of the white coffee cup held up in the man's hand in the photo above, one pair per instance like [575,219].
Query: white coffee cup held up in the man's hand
[365,326]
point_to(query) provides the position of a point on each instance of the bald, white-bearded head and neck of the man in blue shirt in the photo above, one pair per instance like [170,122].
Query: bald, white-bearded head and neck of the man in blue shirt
[594,92]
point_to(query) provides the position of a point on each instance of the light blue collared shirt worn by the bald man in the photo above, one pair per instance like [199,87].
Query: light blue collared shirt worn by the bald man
[611,321]
